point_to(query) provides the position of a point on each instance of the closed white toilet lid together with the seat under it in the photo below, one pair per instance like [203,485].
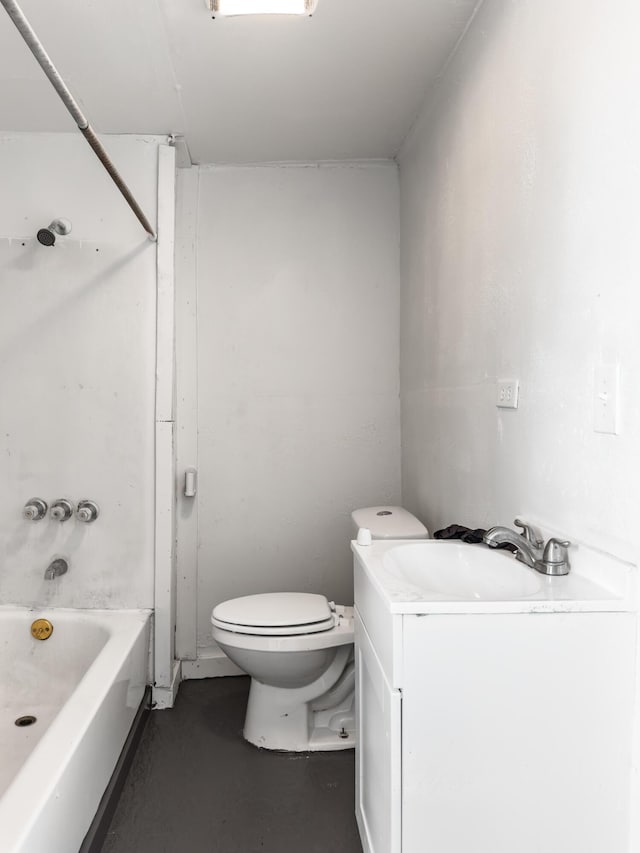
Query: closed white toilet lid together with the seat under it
[277,613]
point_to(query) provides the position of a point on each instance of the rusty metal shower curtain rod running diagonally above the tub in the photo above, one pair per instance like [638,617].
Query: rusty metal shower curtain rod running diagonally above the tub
[33,43]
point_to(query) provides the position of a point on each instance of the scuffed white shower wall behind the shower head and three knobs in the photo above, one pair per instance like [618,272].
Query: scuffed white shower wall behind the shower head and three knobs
[77,370]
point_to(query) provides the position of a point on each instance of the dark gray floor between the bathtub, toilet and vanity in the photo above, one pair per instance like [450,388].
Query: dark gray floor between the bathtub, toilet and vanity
[196,786]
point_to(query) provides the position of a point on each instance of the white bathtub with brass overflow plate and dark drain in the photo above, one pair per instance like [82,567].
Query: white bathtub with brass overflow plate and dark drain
[84,685]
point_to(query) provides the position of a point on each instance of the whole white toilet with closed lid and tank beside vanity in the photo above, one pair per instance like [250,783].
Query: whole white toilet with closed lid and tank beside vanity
[298,649]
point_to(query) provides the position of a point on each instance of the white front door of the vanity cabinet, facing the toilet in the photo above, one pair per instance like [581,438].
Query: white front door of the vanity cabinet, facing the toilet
[378,751]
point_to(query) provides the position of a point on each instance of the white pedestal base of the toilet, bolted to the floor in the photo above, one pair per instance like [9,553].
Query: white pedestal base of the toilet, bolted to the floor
[278,720]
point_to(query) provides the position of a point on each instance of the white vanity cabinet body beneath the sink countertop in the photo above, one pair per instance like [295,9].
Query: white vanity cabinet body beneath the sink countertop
[492,732]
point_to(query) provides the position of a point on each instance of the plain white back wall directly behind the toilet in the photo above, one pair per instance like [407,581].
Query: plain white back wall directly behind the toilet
[298,289]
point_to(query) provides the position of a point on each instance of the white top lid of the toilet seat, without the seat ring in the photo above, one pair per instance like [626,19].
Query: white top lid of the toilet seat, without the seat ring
[274,609]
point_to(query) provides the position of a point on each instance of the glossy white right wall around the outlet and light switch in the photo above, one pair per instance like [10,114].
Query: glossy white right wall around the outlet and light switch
[521,258]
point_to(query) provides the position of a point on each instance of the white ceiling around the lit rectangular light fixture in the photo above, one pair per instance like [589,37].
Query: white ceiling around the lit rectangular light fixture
[346,83]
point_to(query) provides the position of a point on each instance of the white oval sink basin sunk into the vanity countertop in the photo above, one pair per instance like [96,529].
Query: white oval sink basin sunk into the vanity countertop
[455,570]
